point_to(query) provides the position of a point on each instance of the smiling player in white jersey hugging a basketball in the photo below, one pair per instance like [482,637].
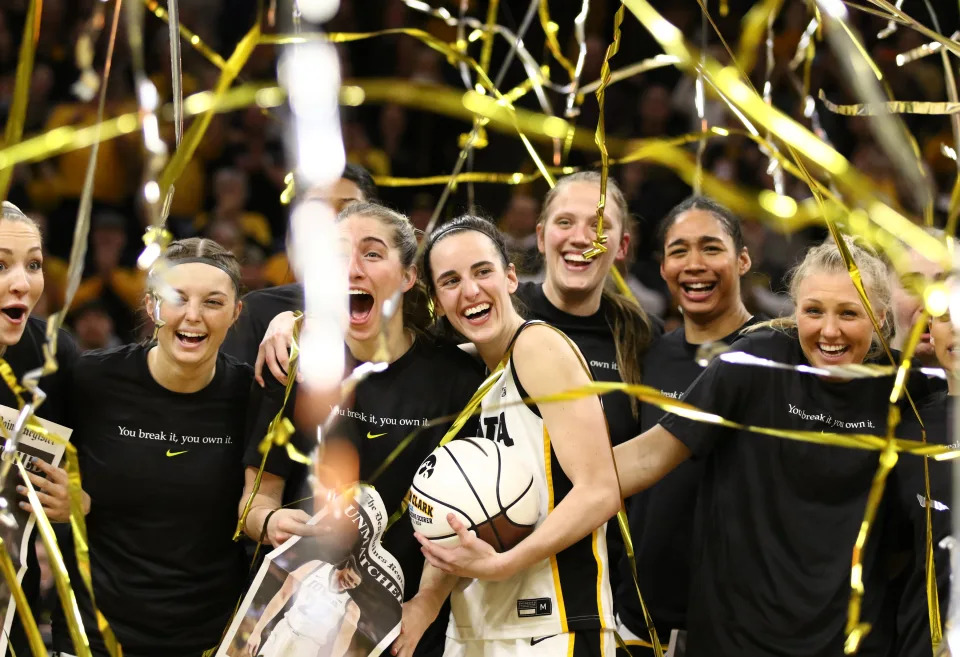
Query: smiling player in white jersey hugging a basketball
[559,573]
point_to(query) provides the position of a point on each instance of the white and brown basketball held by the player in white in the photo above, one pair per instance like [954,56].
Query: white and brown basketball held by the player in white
[489,490]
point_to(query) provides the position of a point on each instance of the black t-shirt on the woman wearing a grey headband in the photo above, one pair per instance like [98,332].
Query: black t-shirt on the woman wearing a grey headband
[164,471]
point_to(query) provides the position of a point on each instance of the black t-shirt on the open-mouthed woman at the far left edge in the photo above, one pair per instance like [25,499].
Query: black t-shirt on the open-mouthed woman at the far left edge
[23,357]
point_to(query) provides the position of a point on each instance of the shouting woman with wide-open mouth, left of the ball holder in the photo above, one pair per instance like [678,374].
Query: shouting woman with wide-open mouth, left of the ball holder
[424,380]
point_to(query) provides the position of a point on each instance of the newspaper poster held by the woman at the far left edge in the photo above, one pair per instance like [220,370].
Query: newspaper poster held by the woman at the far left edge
[31,444]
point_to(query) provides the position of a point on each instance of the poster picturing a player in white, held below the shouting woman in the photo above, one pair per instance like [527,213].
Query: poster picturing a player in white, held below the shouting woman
[319,597]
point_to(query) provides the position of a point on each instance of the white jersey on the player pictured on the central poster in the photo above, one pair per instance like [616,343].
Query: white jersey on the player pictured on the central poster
[319,608]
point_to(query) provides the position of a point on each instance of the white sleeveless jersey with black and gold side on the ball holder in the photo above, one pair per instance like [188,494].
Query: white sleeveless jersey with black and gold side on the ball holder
[565,593]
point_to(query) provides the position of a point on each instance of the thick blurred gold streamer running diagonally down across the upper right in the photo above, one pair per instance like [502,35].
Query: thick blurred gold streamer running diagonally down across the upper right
[826,158]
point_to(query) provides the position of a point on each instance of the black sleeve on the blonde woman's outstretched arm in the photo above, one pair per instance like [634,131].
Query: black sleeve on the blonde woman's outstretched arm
[717,390]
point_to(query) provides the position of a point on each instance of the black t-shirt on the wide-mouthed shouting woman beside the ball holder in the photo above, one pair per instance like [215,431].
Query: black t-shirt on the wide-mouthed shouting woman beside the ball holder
[428,381]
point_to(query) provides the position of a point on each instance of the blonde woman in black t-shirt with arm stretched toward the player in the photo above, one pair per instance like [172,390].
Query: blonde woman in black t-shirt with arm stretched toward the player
[776,519]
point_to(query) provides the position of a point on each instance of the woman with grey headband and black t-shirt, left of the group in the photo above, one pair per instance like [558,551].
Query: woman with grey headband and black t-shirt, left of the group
[160,436]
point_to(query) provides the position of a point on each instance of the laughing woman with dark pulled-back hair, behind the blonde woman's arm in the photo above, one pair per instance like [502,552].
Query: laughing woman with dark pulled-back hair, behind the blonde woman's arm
[703,259]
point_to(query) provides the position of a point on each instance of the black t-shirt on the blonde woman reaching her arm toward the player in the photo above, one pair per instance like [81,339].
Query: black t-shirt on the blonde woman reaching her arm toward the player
[777,519]
